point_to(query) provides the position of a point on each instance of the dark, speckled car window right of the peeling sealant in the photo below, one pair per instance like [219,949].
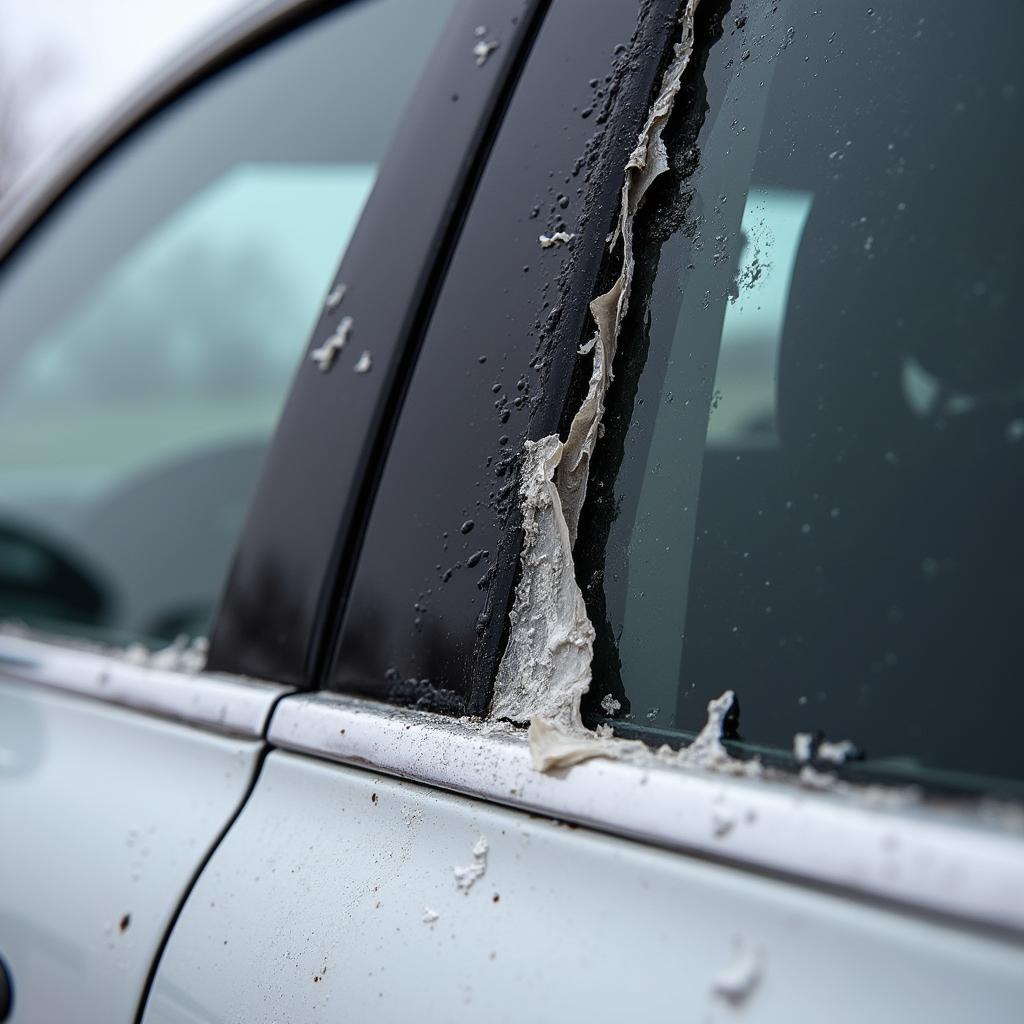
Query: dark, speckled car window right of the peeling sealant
[812,486]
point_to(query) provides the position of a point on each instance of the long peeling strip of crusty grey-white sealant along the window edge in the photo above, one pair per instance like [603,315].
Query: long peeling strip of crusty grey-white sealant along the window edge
[546,668]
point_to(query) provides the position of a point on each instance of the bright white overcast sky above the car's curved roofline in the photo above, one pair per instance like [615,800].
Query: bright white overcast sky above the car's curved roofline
[104,49]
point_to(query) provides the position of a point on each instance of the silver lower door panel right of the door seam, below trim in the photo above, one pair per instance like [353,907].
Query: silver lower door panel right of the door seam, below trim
[321,904]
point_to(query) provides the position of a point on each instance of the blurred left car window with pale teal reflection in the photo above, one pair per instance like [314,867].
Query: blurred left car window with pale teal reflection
[151,326]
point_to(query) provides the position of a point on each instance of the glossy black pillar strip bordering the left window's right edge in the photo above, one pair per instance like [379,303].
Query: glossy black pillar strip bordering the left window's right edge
[292,568]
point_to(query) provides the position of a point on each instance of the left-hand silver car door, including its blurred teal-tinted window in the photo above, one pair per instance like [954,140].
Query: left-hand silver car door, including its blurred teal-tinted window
[155,301]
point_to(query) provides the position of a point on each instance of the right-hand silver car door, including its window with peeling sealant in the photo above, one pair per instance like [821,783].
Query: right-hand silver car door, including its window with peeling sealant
[409,848]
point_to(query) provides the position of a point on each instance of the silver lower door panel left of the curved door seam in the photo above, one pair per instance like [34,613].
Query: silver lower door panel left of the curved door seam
[109,815]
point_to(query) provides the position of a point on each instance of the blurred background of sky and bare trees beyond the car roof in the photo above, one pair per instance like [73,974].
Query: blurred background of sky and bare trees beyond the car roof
[64,64]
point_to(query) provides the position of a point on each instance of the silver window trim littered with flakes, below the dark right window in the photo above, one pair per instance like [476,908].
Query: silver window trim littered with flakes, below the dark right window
[886,846]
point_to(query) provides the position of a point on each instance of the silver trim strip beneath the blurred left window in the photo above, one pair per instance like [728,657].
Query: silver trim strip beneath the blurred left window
[131,678]
